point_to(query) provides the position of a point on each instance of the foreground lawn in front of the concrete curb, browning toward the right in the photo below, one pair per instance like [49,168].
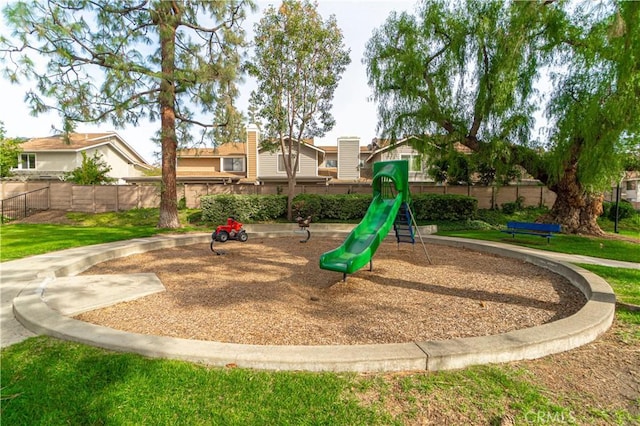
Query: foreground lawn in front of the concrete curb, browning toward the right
[51,382]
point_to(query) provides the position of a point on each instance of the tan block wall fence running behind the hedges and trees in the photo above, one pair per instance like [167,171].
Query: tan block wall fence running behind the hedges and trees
[103,198]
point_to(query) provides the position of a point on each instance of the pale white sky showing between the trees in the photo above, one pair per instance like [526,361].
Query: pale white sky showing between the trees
[354,113]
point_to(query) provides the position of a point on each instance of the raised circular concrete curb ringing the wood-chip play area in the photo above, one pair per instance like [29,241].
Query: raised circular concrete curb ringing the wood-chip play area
[586,325]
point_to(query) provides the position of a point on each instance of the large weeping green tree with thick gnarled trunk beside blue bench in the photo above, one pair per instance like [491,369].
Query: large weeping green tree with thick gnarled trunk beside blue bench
[467,72]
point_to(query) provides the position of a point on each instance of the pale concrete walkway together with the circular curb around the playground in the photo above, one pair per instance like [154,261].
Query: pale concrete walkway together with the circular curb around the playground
[43,292]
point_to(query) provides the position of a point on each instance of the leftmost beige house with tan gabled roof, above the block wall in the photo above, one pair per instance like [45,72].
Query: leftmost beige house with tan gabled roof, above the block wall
[51,157]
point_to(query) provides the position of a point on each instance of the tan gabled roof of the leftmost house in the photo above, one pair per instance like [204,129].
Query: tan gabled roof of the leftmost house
[79,142]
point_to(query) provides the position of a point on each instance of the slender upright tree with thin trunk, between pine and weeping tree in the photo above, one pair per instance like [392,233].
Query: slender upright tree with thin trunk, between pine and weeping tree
[298,62]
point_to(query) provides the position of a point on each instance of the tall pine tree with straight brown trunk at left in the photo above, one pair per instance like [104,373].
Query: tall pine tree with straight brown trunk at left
[126,62]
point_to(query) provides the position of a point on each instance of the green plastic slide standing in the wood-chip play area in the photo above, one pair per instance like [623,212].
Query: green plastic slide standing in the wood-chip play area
[390,190]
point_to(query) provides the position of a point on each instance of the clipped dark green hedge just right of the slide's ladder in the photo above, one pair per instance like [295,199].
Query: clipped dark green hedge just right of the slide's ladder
[434,207]
